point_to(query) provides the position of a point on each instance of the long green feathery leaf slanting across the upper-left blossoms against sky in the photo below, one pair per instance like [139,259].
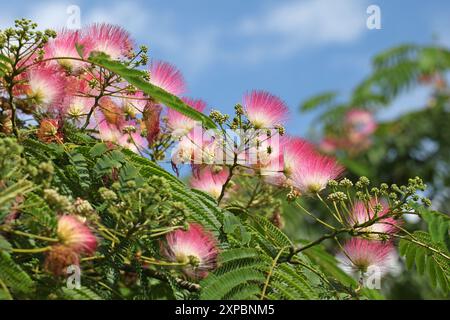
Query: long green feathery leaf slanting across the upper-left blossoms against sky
[135,77]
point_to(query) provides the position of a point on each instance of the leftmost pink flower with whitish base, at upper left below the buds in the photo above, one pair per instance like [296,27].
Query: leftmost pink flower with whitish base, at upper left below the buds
[45,87]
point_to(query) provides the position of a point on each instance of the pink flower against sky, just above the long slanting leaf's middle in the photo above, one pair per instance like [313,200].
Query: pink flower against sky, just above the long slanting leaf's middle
[167,77]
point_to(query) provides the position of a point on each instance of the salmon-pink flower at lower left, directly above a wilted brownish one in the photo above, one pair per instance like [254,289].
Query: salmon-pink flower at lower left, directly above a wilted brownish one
[75,234]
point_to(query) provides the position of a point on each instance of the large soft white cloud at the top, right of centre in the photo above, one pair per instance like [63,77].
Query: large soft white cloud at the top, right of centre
[286,28]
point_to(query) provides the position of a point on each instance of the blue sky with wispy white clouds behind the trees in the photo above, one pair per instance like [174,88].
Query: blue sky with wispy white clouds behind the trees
[293,48]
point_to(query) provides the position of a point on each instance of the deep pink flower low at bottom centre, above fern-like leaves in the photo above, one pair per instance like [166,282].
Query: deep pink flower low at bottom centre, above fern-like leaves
[196,247]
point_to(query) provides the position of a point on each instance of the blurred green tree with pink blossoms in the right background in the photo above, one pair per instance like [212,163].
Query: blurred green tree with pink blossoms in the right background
[415,143]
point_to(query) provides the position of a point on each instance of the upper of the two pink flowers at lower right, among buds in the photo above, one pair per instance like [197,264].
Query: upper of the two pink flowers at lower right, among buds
[363,212]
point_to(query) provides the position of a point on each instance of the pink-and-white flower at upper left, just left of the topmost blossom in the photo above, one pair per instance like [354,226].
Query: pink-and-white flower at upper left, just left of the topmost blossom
[64,45]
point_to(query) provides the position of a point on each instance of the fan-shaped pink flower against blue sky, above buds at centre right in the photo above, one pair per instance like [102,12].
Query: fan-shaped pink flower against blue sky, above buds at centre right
[264,110]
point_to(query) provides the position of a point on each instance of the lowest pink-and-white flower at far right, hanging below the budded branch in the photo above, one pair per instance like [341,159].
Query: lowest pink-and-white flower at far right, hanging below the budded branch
[366,257]
